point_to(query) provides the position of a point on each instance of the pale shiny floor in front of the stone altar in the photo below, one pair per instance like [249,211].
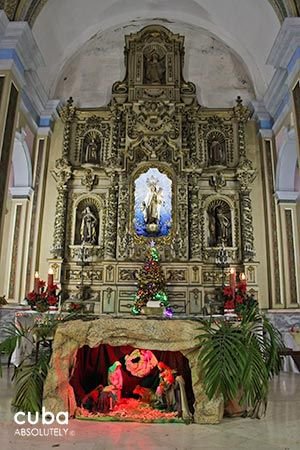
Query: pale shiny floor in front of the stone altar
[279,430]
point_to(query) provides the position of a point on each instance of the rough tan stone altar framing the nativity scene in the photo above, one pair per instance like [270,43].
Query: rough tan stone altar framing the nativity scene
[139,333]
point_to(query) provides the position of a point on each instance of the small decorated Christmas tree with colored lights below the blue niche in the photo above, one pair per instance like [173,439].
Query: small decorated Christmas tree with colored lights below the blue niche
[151,285]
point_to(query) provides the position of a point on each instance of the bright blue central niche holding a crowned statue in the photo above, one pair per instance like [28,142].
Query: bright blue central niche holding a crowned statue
[153,204]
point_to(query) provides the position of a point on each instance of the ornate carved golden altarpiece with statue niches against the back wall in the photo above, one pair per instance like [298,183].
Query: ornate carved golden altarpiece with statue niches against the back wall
[152,121]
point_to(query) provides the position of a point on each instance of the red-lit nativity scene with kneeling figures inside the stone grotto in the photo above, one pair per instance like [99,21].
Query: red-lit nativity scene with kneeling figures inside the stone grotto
[137,384]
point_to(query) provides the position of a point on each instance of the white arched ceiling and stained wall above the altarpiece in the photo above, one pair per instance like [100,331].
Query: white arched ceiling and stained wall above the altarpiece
[243,31]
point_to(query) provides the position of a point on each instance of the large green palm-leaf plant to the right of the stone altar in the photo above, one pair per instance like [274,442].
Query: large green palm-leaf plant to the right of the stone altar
[238,359]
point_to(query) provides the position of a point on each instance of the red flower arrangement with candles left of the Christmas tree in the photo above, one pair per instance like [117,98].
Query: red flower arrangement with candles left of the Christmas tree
[42,297]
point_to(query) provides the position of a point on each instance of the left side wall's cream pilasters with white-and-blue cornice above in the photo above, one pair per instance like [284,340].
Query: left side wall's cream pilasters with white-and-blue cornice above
[21,93]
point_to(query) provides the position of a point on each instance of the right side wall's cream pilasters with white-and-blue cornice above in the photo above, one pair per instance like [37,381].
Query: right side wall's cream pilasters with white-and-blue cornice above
[278,120]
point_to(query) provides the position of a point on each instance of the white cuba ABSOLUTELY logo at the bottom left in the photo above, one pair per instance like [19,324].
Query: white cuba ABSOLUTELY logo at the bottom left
[45,419]
